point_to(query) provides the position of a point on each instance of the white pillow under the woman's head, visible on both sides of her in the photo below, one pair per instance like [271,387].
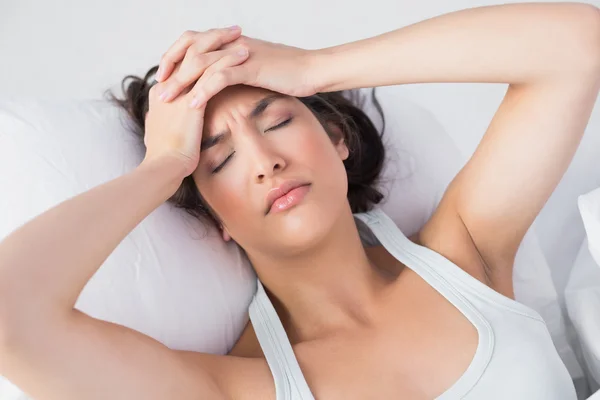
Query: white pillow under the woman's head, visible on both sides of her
[171,278]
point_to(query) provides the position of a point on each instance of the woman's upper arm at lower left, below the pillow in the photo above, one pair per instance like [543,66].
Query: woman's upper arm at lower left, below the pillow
[86,358]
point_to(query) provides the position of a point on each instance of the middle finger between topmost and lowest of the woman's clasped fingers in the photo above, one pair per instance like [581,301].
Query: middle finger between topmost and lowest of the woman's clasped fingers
[194,66]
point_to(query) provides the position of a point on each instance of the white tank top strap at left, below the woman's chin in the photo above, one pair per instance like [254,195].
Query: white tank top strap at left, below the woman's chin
[288,377]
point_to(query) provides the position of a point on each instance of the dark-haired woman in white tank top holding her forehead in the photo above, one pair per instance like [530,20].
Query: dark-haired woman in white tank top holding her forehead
[428,317]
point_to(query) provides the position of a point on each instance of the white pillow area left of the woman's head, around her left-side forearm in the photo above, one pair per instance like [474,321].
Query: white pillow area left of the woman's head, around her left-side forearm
[171,278]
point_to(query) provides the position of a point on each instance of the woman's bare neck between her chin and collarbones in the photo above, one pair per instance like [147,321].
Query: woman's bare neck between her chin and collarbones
[326,288]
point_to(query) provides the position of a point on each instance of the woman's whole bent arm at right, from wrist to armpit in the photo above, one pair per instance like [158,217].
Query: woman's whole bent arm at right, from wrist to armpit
[549,54]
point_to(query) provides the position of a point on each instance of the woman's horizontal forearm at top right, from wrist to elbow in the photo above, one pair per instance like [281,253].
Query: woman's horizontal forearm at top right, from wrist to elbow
[512,43]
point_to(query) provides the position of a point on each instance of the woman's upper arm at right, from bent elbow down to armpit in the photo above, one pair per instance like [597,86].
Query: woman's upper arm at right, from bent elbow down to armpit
[523,155]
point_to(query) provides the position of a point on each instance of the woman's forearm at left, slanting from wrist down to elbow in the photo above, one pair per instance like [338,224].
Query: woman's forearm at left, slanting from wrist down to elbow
[46,263]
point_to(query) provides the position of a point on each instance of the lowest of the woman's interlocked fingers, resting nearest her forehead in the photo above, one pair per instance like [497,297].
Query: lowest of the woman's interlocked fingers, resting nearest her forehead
[220,75]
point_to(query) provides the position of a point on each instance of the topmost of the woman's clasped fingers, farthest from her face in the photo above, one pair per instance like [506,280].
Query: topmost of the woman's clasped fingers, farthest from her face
[177,51]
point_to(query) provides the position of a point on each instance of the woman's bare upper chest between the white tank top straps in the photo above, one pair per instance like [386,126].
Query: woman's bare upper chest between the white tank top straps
[424,347]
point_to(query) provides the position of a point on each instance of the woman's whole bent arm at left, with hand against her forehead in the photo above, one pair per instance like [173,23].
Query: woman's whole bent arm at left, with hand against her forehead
[53,351]
